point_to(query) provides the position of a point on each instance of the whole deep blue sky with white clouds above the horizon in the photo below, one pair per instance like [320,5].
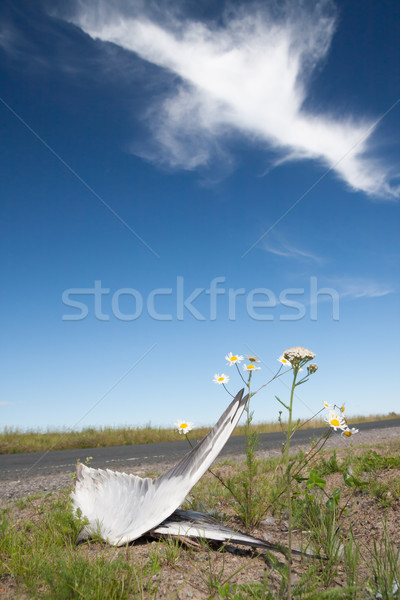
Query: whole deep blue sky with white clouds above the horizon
[164,150]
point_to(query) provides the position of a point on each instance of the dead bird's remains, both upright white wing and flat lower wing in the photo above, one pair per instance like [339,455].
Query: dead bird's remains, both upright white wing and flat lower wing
[120,508]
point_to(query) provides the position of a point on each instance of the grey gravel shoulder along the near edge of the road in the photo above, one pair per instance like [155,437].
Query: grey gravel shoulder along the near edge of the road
[12,490]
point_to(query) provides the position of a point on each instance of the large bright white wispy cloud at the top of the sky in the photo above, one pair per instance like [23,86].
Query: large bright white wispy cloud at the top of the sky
[248,74]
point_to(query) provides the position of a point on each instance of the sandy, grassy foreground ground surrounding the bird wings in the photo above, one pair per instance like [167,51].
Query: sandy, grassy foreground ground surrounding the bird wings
[345,513]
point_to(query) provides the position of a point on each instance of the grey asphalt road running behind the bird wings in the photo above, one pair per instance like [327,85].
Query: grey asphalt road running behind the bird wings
[23,466]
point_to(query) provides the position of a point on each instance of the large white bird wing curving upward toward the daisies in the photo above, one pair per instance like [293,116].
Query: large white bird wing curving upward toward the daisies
[120,507]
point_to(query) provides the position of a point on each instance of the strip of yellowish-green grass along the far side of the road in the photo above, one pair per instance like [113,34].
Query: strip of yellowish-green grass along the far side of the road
[13,440]
